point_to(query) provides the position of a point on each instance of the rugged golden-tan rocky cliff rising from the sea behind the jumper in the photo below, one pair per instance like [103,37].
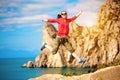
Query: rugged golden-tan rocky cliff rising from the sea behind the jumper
[100,43]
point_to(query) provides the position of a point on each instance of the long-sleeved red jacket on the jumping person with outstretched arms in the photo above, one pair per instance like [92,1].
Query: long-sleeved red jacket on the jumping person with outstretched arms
[63,25]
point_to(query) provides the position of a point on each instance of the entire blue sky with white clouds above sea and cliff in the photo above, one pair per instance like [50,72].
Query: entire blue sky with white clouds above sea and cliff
[21,26]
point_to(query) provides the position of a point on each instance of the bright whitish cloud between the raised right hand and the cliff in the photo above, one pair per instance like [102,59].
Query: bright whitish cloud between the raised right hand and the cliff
[90,9]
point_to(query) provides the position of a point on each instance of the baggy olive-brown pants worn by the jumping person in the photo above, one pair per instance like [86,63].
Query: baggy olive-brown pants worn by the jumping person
[64,41]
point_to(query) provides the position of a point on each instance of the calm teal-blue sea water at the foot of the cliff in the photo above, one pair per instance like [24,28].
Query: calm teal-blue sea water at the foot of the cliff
[10,69]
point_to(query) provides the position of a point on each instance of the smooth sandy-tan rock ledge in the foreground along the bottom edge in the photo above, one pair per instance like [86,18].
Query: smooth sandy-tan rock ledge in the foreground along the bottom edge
[110,73]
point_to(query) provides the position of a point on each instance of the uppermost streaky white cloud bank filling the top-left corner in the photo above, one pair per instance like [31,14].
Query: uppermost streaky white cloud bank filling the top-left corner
[28,7]
